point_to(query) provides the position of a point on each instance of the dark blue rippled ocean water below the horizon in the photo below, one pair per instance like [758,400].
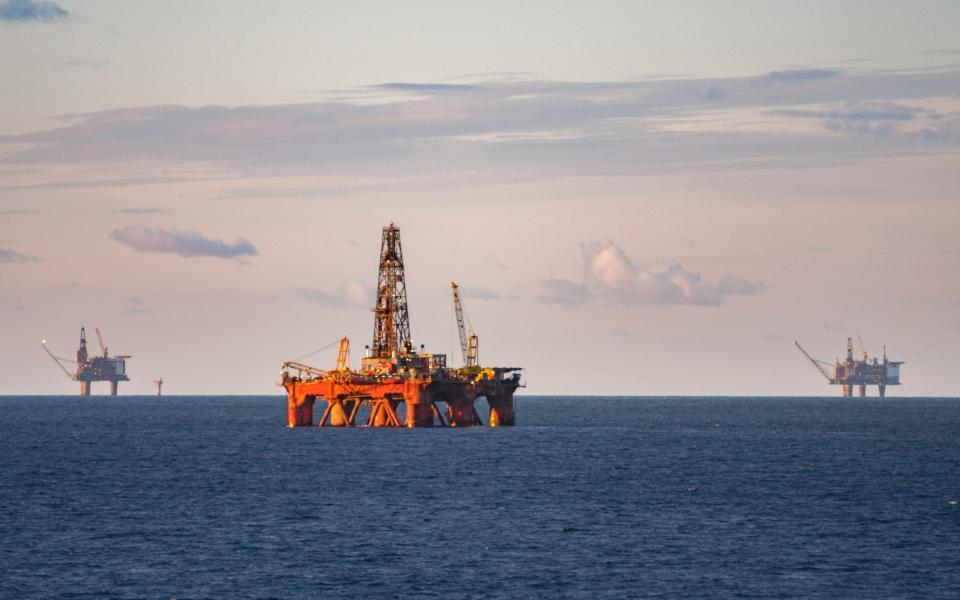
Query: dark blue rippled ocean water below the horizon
[601,497]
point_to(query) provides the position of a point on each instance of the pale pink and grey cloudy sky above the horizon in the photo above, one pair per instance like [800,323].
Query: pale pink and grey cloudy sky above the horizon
[637,198]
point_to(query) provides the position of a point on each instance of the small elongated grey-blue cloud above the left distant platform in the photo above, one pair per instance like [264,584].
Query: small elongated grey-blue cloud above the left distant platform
[183,243]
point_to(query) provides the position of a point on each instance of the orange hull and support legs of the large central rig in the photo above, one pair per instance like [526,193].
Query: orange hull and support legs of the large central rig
[386,401]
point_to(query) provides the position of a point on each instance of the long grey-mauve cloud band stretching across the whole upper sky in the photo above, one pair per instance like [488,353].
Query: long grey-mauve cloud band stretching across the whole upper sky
[523,130]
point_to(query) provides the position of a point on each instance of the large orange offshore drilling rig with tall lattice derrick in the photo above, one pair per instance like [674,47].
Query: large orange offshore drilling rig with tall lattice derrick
[395,385]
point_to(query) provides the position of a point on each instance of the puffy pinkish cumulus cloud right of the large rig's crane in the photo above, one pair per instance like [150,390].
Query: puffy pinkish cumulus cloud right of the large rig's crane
[611,277]
